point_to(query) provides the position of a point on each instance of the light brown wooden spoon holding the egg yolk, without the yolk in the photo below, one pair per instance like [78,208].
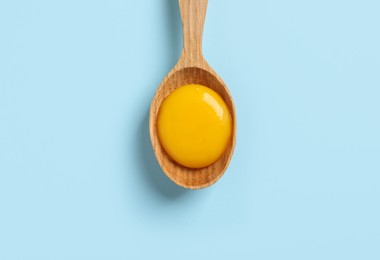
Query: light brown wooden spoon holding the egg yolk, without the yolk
[191,68]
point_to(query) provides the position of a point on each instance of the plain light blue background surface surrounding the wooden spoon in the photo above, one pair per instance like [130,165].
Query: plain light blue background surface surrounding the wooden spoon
[78,179]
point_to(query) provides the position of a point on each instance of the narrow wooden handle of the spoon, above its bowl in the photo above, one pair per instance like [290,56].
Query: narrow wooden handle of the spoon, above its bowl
[193,13]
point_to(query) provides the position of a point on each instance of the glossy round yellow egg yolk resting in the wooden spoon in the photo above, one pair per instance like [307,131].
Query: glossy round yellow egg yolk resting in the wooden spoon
[194,126]
